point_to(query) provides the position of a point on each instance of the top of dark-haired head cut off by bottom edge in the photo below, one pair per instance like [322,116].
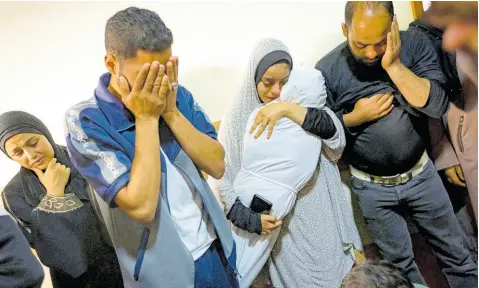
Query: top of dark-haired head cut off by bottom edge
[376,275]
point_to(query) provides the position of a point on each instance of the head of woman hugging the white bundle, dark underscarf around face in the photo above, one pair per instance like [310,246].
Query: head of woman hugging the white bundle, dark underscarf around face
[272,73]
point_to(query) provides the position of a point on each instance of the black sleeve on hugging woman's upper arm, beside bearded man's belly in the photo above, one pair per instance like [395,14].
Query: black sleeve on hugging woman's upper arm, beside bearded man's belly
[319,123]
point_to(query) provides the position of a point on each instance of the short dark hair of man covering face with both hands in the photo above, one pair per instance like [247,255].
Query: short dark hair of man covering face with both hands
[132,29]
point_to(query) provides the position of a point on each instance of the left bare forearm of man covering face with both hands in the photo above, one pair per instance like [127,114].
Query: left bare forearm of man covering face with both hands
[140,199]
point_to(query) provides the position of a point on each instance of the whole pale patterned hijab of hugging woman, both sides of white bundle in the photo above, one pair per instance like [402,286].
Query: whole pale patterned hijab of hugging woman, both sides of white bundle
[231,135]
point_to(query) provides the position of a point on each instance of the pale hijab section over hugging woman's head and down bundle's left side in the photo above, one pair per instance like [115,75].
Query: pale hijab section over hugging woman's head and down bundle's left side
[233,124]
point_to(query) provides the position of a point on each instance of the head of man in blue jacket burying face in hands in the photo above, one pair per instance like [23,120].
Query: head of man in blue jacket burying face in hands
[135,37]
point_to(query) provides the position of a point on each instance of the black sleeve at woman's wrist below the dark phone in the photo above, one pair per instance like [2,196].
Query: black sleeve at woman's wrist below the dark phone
[244,218]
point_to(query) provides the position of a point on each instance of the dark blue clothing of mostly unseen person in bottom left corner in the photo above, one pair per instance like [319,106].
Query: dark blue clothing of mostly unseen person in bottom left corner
[18,265]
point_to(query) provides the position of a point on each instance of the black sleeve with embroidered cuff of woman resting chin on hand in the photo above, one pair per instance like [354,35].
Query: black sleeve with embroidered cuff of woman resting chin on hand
[54,226]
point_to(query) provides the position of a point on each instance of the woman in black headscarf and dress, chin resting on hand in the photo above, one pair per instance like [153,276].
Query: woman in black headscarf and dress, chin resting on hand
[51,202]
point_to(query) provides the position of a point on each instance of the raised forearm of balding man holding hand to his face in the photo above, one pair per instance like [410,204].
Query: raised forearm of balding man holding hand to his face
[414,89]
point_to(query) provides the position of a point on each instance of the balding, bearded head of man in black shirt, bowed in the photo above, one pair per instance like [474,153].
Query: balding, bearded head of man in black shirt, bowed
[366,28]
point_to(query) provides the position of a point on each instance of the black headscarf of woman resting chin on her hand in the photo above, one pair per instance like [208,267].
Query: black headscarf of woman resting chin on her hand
[16,122]
